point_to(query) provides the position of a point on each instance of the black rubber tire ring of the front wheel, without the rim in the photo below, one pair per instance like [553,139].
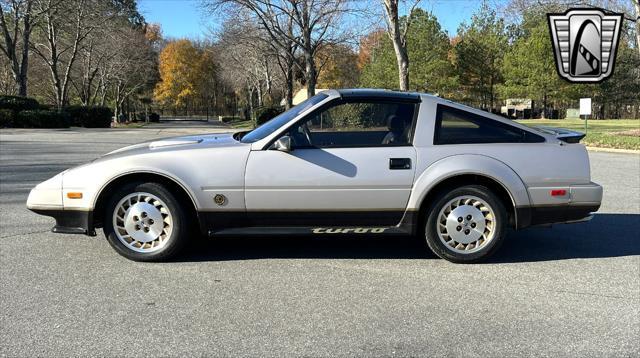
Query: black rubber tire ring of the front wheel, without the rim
[178,233]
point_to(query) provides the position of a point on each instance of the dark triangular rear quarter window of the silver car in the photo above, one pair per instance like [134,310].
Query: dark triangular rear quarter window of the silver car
[455,126]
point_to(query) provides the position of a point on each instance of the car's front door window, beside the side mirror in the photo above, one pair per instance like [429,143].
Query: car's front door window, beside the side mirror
[356,124]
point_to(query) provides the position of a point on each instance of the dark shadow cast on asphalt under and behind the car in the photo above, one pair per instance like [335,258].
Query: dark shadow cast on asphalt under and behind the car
[607,235]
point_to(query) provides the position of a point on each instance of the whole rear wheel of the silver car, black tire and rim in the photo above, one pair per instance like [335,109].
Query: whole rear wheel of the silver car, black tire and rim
[474,238]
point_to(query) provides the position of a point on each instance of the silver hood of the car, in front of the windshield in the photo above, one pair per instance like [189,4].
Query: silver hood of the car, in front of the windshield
[183,142]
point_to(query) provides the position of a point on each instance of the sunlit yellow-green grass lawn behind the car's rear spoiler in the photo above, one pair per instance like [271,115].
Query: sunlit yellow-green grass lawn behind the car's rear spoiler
[607,133]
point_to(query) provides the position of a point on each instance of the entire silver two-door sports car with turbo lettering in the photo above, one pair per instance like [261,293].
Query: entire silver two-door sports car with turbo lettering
[344,162]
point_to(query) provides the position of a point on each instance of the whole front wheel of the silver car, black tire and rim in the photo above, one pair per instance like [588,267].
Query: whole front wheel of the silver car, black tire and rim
[145,222]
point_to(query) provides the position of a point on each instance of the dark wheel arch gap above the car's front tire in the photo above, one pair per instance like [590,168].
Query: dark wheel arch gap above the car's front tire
[173,185]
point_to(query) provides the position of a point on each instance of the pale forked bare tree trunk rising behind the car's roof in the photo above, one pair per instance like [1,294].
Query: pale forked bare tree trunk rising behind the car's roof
[398,34]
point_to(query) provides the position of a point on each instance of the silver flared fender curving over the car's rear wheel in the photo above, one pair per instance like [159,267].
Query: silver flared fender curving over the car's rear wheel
[475,164]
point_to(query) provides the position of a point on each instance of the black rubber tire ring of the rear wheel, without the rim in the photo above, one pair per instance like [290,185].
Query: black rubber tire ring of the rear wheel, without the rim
[440,249]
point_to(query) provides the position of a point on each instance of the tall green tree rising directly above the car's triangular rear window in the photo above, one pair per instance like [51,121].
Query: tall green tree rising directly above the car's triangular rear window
[479,52]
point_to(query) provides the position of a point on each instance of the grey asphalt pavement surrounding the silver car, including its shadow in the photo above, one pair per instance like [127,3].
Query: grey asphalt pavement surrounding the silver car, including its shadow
[570,290]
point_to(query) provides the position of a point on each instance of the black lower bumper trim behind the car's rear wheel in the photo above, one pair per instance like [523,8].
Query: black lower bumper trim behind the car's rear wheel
[541,215]
